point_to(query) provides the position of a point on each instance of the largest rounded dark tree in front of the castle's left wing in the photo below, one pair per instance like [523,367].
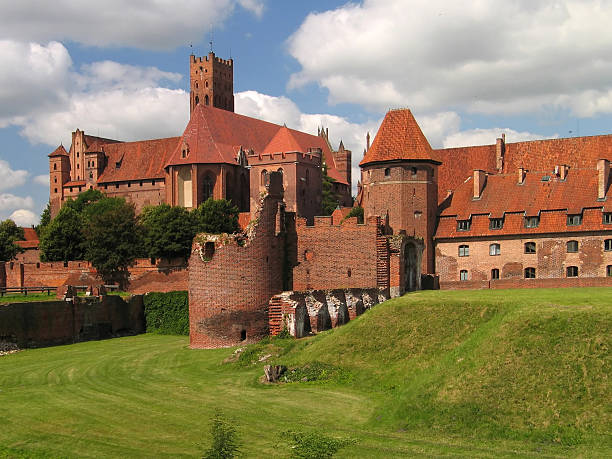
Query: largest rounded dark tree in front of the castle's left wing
[112,241]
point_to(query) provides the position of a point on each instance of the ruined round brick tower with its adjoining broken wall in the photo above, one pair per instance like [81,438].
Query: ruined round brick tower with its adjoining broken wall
[233,277]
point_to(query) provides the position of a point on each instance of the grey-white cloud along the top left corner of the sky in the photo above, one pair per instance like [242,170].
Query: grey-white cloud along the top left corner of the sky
[157,25]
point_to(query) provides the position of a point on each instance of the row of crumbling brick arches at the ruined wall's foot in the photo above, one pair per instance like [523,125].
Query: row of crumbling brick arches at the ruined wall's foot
[302,313]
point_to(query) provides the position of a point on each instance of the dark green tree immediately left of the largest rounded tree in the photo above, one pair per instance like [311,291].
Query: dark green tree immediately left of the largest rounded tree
[62,239]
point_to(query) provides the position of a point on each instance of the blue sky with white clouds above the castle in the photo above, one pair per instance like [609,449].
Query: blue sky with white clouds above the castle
[469,71]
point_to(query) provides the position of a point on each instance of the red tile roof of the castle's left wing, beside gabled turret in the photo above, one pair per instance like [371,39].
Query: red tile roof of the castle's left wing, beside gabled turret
[140,160]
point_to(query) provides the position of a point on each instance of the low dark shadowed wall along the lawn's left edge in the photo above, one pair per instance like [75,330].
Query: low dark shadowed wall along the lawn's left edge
[47,323]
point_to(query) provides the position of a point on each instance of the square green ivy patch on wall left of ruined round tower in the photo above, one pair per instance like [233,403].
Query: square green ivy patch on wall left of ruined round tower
[167,313]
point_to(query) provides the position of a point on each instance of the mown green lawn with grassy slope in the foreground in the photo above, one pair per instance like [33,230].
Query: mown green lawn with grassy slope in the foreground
[472,374]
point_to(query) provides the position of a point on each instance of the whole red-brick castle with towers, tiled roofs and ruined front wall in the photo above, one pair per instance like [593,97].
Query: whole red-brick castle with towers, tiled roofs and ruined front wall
[505,215]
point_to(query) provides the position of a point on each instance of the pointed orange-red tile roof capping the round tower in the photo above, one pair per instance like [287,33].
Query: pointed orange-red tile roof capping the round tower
[399,137]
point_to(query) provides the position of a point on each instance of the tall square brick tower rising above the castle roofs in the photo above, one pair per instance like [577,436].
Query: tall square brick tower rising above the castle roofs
[211,82]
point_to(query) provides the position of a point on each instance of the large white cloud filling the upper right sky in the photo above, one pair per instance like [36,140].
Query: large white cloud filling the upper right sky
[497,56]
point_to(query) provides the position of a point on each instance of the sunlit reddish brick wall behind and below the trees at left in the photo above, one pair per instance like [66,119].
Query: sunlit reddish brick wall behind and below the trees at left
[145,275]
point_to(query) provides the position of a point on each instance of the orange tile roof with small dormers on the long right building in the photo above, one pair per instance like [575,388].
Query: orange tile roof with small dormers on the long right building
[502,196]
